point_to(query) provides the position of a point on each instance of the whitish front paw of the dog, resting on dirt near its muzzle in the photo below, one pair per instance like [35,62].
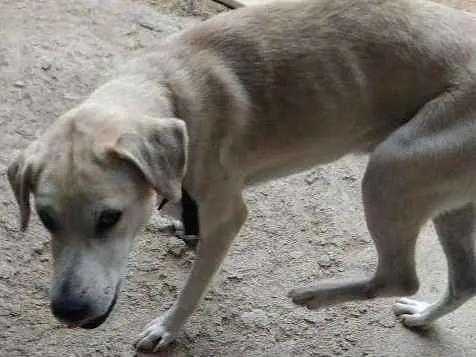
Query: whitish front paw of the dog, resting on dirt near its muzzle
[159,333]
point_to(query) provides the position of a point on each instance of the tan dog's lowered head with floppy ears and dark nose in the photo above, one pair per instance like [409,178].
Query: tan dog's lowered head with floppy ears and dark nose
[92,175]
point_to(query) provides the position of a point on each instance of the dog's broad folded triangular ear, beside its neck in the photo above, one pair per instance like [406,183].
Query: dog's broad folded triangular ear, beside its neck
[158,148]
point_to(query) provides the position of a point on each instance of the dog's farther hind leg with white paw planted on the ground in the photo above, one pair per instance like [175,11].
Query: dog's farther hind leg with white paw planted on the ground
[456,232]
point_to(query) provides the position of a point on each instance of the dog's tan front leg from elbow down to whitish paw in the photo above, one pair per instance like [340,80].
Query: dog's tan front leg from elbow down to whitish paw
[220,220]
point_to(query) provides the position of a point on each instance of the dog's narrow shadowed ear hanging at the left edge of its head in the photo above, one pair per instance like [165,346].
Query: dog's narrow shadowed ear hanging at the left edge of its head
[21,178]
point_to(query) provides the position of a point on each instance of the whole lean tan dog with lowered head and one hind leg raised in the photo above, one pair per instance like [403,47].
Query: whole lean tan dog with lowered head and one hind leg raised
[254,94]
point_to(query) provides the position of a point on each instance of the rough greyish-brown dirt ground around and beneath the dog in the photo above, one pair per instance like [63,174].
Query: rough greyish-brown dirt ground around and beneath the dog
[309,226]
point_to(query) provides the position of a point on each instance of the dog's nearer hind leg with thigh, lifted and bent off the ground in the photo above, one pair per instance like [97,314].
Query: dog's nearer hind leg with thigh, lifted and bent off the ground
[416,173]
